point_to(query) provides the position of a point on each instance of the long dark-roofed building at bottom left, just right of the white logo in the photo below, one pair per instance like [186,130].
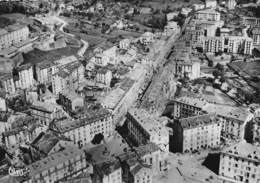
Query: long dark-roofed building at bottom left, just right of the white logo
[59,166]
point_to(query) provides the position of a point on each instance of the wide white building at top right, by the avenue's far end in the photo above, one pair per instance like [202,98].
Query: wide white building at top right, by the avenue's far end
[208,14]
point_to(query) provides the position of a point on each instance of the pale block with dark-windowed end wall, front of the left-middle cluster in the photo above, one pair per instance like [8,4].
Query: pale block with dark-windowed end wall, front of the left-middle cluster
[68,77]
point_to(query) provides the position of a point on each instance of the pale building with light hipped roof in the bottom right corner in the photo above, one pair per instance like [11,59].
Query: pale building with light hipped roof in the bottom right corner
[240,163]
